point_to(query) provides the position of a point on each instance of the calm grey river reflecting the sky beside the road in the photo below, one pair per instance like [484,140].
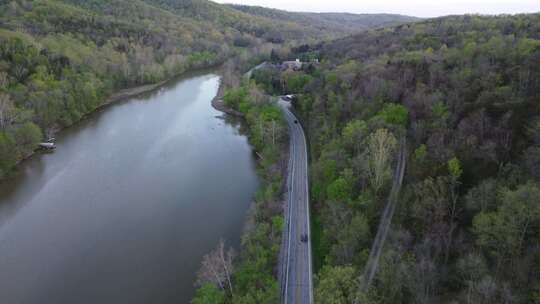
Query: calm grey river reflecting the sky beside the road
[125,208]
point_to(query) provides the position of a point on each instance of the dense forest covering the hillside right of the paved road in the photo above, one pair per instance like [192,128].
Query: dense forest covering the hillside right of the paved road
[464,91]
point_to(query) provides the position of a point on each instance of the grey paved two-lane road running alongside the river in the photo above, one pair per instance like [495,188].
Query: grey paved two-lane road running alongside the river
[296,265]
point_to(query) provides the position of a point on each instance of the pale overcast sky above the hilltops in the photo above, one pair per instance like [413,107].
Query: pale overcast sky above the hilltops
[419,8]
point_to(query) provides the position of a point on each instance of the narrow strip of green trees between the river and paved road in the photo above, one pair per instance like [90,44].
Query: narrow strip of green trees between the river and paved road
[251,277]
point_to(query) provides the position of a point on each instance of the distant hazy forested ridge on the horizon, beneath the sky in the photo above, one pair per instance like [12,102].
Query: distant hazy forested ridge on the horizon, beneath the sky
[344,22]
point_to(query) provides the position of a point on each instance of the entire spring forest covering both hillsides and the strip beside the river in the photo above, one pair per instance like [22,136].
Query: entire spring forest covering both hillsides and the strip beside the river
[464,91]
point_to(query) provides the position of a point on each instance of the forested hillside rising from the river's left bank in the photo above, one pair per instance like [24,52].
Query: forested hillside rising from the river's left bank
[60,59]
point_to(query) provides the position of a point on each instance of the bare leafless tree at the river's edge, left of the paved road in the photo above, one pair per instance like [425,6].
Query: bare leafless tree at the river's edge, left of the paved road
[217,268]
